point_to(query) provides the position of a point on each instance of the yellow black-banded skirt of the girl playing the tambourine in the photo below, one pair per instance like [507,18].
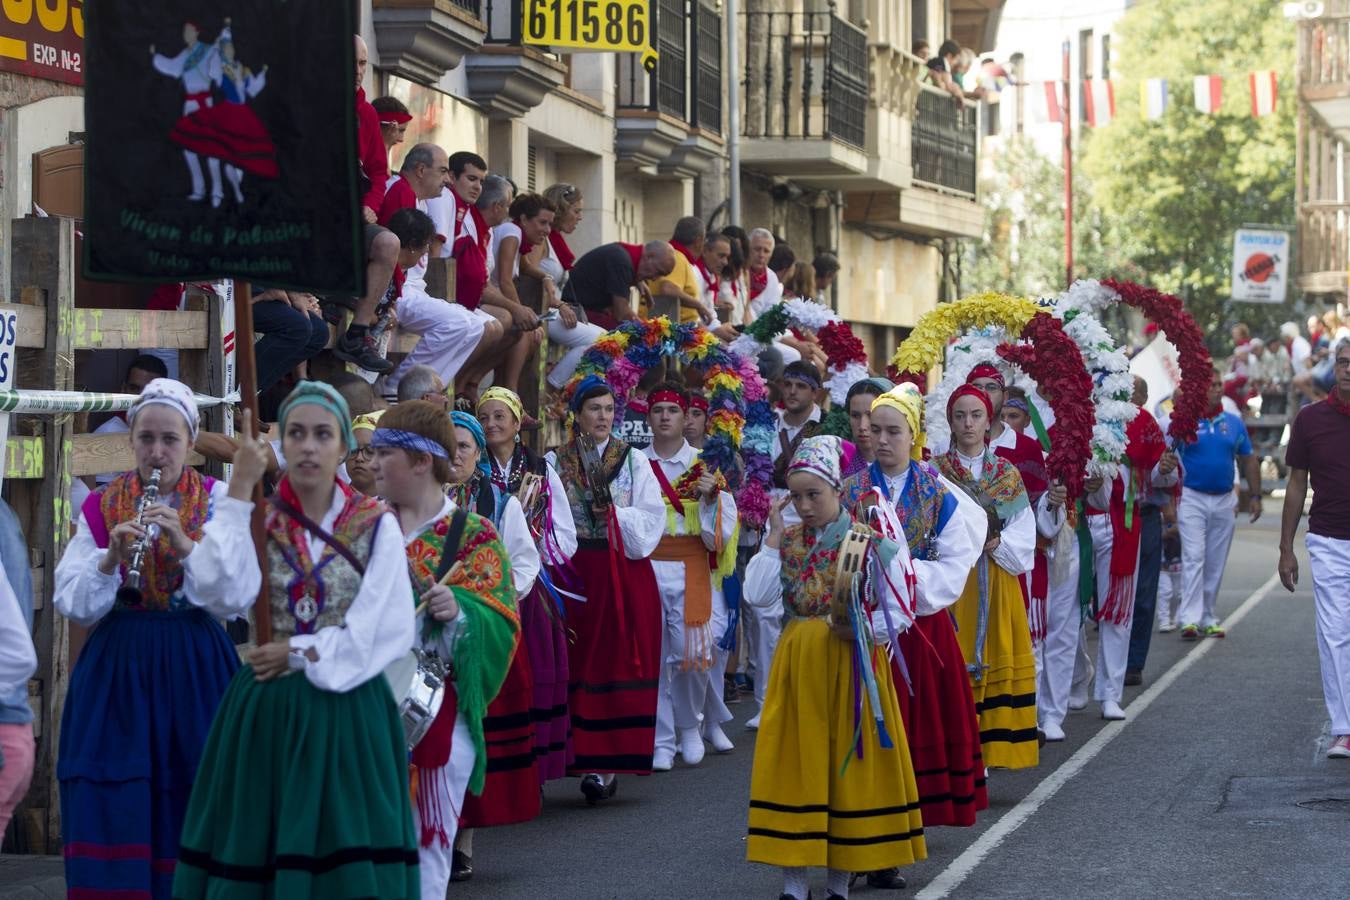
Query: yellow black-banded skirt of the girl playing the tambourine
[804,813]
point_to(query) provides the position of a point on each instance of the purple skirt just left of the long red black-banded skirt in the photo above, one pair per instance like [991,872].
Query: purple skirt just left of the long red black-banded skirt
[545,638]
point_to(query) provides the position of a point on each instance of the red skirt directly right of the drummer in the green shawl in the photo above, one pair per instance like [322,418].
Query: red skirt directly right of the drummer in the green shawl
[511,789]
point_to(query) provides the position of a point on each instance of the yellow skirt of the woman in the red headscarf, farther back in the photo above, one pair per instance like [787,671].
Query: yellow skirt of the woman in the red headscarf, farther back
[1005,689]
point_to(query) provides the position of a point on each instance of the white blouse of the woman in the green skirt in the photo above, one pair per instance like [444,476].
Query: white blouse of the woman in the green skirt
[379,625]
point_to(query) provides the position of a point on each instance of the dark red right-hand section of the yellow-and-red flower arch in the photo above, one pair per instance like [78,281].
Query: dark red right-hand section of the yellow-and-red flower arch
[1054,360]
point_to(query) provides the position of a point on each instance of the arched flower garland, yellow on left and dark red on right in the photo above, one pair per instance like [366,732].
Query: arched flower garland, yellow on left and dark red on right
[1050,358]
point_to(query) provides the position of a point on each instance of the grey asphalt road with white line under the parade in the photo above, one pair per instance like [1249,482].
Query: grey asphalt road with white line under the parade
[1197,795]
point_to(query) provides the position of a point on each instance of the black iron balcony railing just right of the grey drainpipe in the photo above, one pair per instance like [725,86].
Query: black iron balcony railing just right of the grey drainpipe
[805,78]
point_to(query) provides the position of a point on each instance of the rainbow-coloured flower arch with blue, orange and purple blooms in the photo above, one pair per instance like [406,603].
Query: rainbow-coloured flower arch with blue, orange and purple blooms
[739,419]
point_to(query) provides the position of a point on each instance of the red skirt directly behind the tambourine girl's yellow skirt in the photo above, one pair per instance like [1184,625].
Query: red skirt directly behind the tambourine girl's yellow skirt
[942,724]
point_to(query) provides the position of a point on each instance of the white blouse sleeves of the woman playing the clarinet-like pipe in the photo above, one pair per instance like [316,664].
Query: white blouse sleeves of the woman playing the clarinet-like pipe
[221,575]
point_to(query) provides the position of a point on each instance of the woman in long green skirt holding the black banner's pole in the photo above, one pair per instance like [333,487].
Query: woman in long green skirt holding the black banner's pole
[303,789]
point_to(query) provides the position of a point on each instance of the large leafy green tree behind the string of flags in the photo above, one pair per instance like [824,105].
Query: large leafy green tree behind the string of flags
[1172,191]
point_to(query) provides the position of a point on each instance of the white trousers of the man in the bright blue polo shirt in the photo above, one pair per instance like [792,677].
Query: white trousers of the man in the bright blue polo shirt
[1206,523]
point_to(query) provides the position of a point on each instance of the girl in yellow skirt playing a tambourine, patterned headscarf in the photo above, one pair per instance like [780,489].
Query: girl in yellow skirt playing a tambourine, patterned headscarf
[834,785]
